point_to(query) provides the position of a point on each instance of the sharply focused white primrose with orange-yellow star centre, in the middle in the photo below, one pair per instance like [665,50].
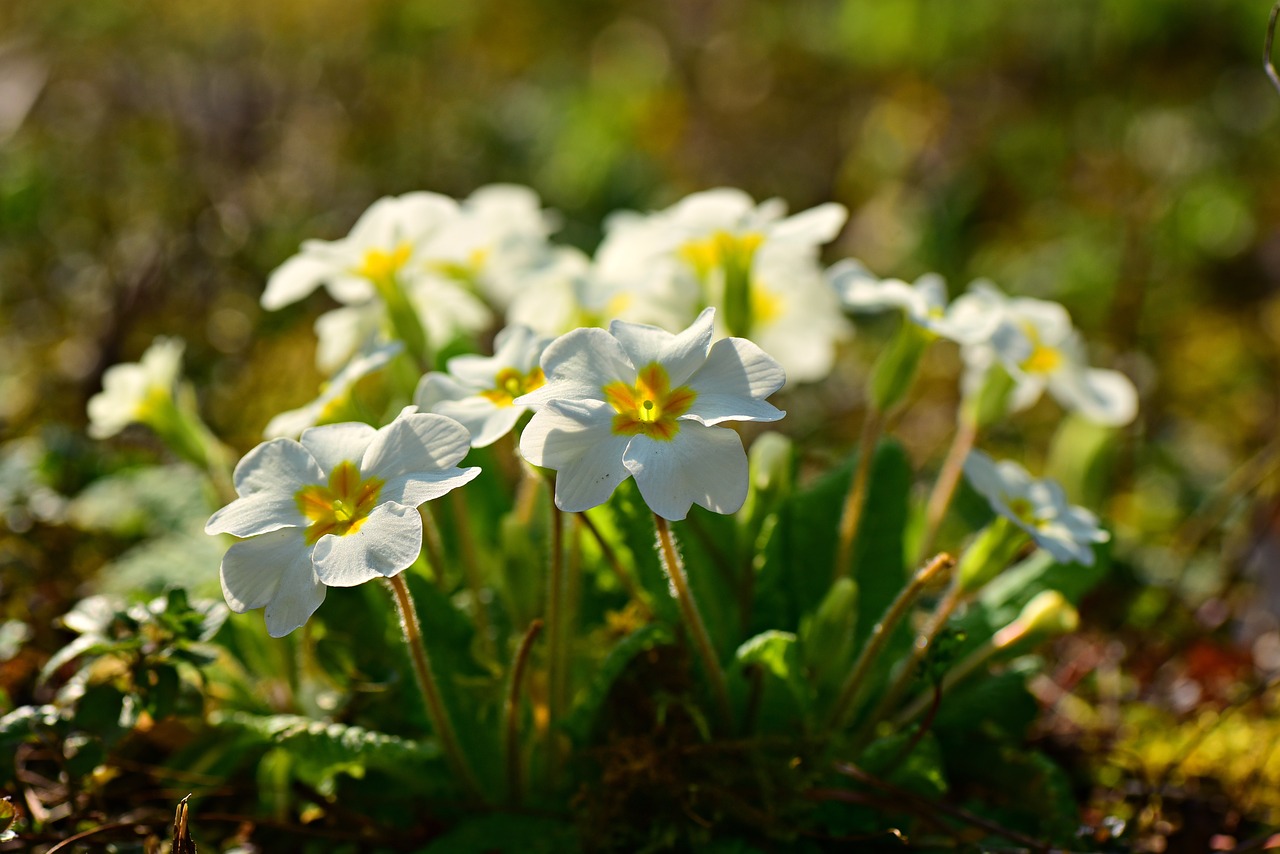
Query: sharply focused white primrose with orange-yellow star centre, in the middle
[641,403]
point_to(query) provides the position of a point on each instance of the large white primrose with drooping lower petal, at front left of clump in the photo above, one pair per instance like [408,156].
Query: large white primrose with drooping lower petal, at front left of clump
[336,509]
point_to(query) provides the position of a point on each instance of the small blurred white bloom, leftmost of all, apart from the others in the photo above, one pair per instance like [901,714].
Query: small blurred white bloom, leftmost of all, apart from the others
[141,392]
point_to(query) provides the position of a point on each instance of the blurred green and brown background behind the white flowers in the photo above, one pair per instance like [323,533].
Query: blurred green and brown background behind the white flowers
[159,159]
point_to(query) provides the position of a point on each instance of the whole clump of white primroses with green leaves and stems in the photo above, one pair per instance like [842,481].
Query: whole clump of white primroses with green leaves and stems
[533,482]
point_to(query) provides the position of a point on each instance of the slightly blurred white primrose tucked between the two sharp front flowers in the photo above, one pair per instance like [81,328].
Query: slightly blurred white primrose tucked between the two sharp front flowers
[481,391]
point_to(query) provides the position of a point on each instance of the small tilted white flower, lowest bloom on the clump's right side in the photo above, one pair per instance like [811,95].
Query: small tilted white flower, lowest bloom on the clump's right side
[1039,508]
